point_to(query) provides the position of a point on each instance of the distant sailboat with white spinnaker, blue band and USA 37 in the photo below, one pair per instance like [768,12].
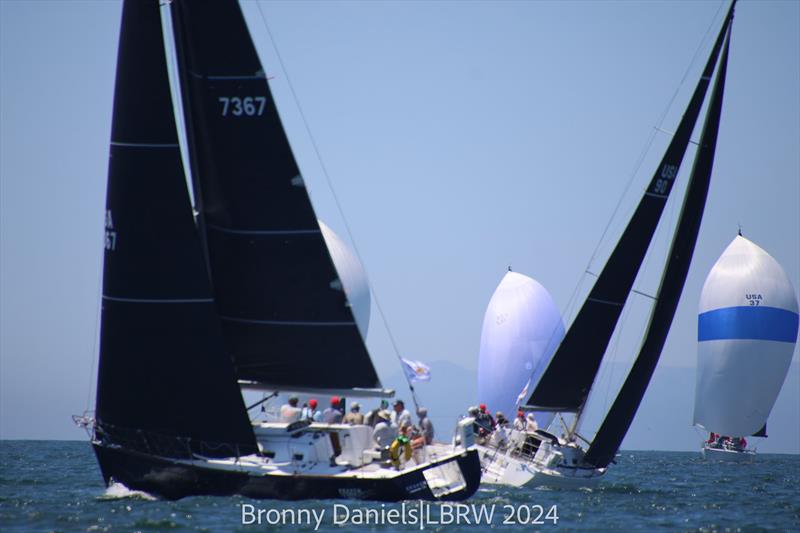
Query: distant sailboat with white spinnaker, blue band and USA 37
[747,329]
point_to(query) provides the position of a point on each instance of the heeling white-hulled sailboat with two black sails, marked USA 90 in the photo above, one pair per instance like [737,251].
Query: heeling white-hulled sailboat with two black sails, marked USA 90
[565,385]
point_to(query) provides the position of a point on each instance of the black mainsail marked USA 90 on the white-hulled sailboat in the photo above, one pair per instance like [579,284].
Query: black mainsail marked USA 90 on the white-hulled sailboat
[566,383]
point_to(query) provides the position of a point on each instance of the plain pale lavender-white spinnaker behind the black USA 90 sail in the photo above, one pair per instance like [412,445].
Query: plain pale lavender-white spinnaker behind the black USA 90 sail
[522,327]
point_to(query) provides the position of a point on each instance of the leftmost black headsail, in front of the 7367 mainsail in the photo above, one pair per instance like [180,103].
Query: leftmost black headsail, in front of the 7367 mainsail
[164,383]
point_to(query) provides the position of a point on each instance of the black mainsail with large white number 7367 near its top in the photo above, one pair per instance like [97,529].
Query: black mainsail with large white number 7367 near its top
[285,316]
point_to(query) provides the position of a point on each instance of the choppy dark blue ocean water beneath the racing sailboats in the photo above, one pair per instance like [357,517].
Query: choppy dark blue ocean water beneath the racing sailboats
[56,486]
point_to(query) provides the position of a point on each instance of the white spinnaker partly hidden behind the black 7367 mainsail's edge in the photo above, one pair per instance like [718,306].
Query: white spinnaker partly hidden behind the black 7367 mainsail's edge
[352,275]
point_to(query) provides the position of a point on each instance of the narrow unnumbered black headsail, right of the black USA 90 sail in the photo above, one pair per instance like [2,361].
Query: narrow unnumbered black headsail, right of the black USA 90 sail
[619,418]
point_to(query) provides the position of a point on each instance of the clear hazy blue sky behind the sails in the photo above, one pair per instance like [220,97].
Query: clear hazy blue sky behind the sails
[459,138]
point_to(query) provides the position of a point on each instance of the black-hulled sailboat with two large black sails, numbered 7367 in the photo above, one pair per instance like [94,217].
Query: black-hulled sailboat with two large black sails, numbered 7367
[235,289]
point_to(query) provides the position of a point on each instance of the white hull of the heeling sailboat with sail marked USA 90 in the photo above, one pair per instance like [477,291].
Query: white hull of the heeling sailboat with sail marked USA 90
[551,465]
